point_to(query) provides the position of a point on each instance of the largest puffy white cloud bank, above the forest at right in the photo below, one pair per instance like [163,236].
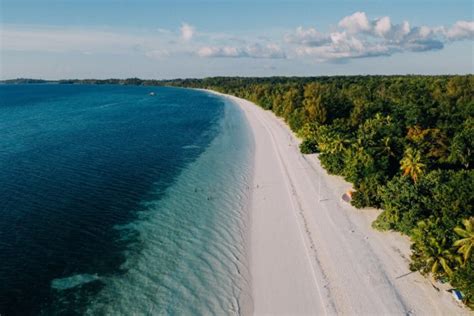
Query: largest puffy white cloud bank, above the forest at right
[359,37]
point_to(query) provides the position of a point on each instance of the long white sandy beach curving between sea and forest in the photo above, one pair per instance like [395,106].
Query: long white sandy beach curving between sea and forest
[312,253]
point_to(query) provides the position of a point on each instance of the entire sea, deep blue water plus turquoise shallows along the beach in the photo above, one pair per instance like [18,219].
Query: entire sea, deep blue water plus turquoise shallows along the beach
[113,201]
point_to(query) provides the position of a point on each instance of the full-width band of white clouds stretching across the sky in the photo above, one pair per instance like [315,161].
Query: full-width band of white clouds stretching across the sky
[354,36]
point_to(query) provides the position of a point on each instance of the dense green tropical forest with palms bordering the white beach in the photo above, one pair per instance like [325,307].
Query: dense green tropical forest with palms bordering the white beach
[405,142]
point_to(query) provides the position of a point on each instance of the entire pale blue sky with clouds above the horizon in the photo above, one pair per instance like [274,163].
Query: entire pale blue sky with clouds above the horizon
[58,39]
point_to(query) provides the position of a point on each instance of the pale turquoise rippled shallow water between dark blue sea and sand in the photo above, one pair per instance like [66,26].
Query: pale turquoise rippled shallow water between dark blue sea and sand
[189,257]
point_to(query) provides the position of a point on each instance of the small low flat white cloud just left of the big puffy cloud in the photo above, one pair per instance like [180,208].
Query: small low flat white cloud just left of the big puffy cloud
[270,51]
